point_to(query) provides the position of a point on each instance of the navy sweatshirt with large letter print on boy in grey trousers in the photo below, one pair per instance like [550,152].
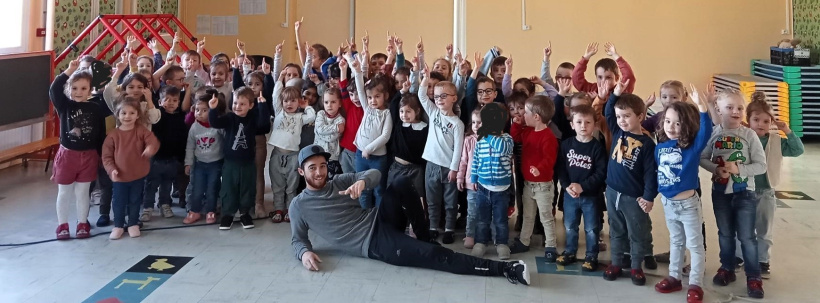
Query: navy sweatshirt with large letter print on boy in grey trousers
[631,170]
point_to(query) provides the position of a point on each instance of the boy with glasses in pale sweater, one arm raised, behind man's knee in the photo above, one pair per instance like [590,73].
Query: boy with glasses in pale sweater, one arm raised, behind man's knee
[445,136]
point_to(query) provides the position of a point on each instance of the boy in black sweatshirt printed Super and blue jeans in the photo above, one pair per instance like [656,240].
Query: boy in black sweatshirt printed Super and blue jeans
[582,168]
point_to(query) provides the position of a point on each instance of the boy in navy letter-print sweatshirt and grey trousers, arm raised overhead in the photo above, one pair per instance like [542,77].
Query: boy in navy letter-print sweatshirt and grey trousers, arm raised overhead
[632,183]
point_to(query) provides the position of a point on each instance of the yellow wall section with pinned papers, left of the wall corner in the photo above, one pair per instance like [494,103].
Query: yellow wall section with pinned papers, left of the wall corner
[323,21]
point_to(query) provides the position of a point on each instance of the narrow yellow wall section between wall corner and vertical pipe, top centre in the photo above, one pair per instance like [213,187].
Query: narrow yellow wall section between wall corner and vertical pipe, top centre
[432,19]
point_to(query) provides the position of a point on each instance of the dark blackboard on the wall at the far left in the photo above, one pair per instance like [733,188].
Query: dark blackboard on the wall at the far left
[24,83]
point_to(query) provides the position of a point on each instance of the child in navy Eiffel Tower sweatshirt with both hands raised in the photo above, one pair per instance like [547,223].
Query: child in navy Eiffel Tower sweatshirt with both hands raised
[239,171]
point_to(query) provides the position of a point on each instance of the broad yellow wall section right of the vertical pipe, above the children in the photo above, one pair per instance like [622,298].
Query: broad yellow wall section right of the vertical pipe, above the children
[684,40]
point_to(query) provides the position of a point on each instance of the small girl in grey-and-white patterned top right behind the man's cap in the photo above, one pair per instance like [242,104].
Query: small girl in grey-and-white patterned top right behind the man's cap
[329,127]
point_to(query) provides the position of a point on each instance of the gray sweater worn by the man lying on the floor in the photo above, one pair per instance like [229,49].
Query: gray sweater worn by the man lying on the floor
[336,218]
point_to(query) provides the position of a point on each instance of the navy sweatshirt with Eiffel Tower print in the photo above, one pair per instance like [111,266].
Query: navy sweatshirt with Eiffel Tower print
[239,143]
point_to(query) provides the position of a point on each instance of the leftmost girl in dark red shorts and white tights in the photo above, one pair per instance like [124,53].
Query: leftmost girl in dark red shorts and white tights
[82,128]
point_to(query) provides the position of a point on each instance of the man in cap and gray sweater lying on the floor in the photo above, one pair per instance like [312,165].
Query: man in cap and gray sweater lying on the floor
[332,210]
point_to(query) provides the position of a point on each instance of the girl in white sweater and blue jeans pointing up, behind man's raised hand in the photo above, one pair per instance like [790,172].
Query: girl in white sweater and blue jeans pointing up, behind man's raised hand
[374,132]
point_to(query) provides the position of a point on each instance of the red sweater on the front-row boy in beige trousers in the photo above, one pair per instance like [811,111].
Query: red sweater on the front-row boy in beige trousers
[539,149]
